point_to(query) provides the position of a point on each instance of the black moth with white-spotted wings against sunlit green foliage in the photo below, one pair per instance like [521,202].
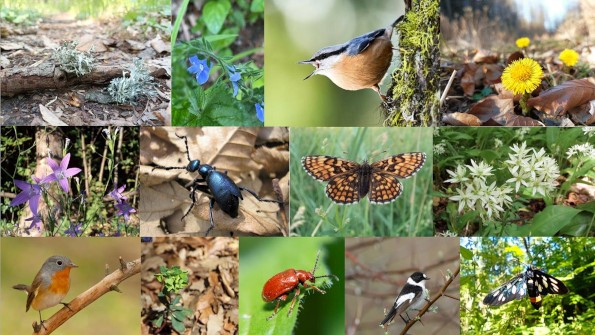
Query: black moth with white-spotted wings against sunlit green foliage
[532,282]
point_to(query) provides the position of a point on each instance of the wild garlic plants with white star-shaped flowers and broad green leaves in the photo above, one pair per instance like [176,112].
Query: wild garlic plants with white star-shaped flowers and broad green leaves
[514,181]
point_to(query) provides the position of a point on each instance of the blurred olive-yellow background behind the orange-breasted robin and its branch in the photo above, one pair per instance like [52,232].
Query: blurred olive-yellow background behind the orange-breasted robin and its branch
[113,313]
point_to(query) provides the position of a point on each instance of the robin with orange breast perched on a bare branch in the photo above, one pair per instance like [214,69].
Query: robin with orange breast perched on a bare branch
[50,285]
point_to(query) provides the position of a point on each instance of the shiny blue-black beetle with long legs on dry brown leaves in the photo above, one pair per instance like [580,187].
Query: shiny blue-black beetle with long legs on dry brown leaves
[216,184]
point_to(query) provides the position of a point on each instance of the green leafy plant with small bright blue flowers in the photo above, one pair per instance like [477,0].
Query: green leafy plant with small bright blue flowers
[212,84]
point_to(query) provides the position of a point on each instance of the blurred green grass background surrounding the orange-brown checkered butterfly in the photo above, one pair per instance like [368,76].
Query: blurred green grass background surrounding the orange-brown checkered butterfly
[409,215]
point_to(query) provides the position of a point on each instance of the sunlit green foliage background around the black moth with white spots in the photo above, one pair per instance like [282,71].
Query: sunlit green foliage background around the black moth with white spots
[487,263]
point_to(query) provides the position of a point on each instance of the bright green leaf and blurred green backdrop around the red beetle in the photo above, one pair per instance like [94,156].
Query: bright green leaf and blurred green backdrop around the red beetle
[262,258]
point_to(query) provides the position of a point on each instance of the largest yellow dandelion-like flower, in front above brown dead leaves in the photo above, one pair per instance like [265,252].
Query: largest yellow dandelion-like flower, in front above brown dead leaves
[522,76]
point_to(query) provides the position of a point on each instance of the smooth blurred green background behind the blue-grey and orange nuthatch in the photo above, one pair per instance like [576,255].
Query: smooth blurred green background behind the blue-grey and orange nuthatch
[294,31]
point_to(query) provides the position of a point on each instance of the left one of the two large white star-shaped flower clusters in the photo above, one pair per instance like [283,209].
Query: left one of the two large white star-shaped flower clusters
[474,193]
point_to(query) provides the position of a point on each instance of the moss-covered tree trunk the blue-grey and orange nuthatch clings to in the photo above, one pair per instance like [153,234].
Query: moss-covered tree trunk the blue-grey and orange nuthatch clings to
[414,85]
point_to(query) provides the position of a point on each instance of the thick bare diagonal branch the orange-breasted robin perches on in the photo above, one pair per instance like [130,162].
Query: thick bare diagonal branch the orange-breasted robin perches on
[109,283]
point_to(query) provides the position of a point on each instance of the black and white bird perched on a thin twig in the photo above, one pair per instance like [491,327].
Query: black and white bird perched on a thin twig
[412,297]
